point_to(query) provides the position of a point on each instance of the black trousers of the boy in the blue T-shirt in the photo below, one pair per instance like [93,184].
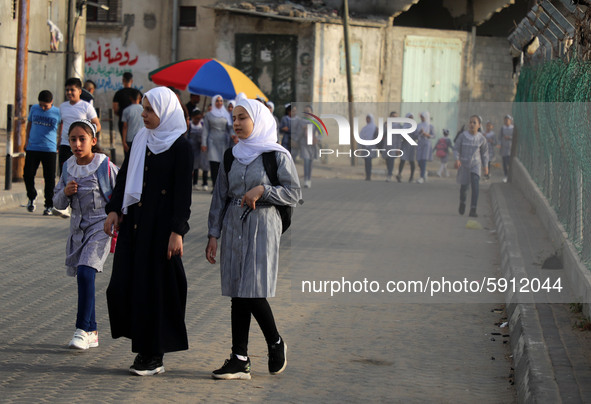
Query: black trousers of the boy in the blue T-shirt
[32,161]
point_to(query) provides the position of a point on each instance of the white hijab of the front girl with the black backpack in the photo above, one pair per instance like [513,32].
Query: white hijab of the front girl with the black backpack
[264,133]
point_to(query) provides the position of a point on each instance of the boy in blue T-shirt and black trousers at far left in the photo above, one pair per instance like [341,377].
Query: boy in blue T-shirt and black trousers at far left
[41,147]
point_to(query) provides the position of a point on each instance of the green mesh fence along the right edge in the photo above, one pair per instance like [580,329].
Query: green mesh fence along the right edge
[552,112]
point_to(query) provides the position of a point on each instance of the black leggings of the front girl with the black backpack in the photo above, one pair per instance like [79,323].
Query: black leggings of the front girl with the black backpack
[242,309]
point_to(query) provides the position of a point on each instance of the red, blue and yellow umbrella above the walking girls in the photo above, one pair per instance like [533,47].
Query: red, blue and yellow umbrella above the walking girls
[206,77]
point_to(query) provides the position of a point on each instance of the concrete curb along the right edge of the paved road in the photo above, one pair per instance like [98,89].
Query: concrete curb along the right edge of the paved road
[534,375]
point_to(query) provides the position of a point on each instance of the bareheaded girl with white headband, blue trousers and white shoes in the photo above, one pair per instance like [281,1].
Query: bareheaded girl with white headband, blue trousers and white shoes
[86,184]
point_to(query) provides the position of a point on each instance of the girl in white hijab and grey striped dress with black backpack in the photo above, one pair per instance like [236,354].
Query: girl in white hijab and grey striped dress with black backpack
[242,213]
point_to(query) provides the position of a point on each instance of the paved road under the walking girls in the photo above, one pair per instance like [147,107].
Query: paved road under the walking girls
[352,347]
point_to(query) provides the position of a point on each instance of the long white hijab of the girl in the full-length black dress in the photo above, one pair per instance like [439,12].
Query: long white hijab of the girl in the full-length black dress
[172,125]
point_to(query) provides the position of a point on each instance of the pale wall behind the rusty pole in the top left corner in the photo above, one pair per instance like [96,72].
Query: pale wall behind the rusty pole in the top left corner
[45,72]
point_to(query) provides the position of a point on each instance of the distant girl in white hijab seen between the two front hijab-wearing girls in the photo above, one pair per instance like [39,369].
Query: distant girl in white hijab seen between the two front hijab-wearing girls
[216,136]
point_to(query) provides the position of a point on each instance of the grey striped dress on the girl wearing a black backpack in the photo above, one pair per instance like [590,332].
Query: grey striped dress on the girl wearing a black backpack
[249,249]
